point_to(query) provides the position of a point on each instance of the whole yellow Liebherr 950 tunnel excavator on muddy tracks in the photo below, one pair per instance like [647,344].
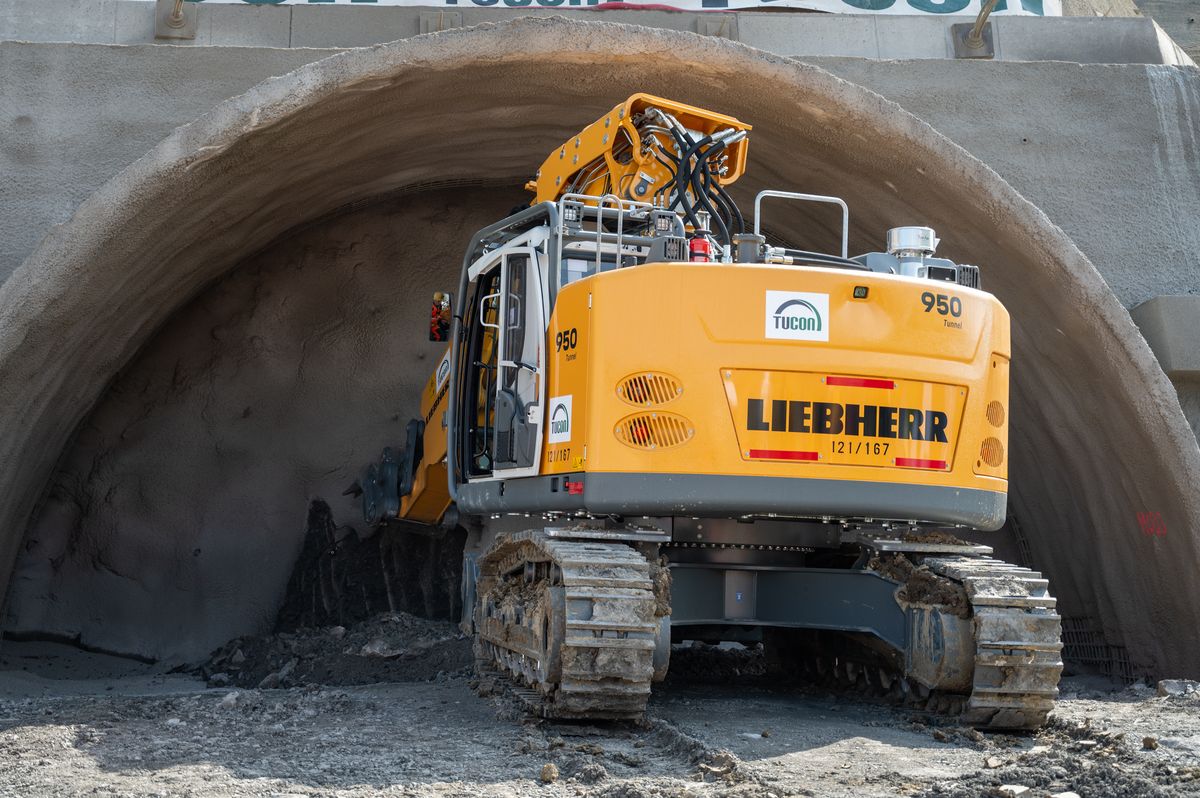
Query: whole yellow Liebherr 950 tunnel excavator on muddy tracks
[656,427]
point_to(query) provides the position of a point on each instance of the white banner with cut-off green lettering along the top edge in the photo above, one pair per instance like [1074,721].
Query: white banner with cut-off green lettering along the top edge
[920,8]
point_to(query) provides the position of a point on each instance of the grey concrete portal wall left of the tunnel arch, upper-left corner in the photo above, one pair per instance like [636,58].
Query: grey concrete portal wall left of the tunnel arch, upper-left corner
[73,117]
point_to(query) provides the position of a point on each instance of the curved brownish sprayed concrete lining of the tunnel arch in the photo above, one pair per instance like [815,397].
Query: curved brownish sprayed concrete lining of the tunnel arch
[1099,446]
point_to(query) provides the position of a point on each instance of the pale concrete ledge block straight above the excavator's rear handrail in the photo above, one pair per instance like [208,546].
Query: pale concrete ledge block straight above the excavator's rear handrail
[811,34]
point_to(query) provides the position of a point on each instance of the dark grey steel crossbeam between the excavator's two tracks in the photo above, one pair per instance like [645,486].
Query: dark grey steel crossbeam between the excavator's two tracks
[803,598]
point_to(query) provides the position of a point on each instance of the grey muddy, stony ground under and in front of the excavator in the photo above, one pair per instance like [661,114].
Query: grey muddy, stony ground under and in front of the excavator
[85,724]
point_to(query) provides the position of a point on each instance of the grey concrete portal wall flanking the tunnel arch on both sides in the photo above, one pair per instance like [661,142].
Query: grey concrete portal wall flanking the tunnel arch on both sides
[1109,153]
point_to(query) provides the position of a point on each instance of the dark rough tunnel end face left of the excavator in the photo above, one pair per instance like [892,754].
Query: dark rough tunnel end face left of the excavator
[177,519]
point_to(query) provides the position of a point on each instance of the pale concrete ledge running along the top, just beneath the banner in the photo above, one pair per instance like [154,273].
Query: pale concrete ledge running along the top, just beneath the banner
[1120,38]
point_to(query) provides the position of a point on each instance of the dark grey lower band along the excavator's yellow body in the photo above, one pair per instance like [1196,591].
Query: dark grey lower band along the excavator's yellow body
[727,496]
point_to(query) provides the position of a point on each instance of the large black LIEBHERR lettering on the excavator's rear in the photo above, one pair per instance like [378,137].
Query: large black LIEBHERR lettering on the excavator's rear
[836,419]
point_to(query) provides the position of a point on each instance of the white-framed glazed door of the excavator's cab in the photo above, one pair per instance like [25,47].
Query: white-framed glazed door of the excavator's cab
[521,371]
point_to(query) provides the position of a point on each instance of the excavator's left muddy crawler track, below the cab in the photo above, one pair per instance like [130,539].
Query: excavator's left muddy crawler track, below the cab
[573,623]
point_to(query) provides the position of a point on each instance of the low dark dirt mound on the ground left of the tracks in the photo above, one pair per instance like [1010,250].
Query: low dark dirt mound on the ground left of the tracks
[388,647]
